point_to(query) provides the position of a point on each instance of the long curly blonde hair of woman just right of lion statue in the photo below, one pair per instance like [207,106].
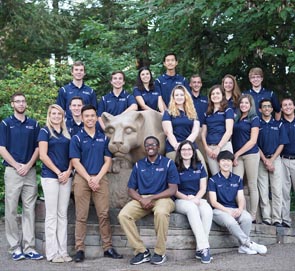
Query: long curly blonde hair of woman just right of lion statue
[188,106]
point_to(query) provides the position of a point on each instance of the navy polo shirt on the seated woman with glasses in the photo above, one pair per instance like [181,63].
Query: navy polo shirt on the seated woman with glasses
[190,179]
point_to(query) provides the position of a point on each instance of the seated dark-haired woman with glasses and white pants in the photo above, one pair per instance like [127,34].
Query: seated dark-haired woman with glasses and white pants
[192,187]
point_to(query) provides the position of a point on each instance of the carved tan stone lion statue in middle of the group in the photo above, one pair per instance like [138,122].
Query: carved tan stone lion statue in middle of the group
[127,133]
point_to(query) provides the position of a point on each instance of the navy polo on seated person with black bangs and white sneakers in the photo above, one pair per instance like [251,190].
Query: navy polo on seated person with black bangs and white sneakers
[226,189]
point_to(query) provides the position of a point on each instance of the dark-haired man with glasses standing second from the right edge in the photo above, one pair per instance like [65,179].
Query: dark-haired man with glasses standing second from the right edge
[271,140]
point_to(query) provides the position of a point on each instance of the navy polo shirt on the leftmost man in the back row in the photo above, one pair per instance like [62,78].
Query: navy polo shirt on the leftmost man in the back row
[67,92]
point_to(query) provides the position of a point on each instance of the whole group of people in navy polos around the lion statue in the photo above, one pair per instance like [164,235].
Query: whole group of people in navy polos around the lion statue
[241,136]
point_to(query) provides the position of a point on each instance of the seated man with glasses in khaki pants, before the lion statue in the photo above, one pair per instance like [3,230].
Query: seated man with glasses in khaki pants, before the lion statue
[152,182]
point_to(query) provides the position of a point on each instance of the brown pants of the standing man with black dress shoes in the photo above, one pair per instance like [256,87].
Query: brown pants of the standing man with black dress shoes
[83,194]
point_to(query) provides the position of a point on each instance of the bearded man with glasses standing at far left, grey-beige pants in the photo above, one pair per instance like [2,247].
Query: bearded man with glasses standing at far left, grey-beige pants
[19,150]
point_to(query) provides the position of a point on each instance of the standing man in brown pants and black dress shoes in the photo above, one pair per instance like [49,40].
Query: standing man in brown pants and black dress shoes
[92,159]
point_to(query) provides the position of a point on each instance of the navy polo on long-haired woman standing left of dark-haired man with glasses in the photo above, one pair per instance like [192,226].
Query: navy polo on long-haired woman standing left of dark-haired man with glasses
[242,134]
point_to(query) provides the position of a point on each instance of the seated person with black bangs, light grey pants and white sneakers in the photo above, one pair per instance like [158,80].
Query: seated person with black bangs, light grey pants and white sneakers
[227,198]
